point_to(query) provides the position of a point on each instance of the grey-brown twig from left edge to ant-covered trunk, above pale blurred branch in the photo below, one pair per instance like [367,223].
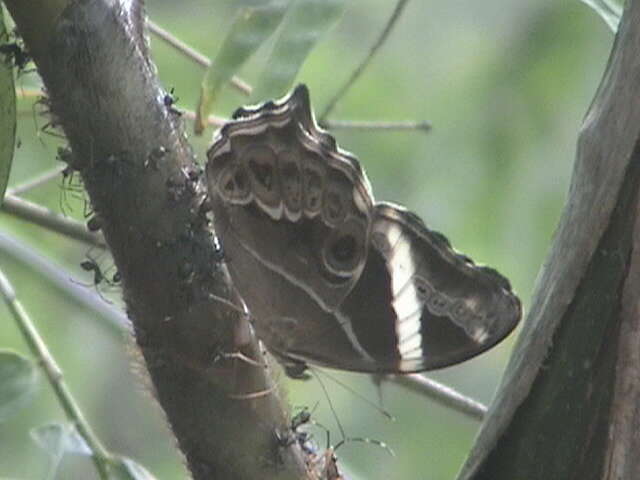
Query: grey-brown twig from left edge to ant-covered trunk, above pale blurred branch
[39,215]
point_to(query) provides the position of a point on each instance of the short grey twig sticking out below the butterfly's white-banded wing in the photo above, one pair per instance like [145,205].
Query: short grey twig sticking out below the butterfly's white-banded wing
[442,394]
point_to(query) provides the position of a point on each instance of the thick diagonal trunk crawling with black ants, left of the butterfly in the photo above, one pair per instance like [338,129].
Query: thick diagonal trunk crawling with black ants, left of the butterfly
[143,182]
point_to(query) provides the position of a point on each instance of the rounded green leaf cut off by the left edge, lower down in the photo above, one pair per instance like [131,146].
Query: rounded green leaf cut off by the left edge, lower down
[18,380]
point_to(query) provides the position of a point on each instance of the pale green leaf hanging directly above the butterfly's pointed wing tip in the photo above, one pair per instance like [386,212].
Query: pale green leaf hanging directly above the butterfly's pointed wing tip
[305,24]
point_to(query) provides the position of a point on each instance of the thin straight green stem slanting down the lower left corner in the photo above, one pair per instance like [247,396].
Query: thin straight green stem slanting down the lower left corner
[100,455]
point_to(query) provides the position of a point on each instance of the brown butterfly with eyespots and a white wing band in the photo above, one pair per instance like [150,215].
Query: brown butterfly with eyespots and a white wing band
[330,276]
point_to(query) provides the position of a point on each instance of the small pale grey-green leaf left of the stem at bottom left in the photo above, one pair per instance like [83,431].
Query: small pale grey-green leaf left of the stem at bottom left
[57,439]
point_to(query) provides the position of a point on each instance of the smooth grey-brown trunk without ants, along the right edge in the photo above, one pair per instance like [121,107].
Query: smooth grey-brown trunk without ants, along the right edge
[569,403]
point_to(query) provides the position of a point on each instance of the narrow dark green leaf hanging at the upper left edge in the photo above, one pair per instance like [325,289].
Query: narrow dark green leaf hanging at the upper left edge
[7,116]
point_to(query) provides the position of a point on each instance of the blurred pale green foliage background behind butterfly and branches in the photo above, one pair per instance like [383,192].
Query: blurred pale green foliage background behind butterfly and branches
[505,85]
